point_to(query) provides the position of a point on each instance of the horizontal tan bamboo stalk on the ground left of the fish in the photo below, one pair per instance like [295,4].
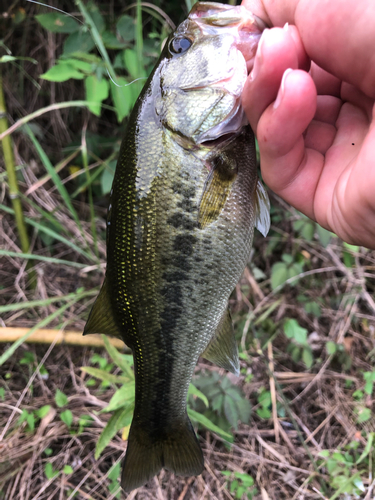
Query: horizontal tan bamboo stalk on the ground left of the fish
[47,336]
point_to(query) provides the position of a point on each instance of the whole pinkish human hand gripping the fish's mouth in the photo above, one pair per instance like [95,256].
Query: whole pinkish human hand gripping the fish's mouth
[316,131]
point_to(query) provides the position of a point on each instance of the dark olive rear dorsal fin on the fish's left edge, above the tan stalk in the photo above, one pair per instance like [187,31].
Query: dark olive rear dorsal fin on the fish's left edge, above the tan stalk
[101,317]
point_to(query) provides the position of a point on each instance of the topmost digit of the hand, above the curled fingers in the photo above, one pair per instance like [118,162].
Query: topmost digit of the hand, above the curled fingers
[338,36]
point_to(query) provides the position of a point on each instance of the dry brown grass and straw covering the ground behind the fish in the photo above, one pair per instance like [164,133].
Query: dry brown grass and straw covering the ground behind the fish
[273,452]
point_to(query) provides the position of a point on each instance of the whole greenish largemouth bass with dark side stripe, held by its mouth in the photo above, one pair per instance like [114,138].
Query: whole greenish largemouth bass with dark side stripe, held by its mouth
[183,206]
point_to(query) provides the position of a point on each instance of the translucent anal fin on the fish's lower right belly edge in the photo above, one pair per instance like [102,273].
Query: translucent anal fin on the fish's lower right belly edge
[222,349]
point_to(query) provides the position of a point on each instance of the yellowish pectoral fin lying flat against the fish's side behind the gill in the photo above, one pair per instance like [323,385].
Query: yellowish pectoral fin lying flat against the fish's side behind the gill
[217,189]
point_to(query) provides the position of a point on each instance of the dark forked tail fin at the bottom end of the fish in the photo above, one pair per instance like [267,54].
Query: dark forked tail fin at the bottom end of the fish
[177,450]
